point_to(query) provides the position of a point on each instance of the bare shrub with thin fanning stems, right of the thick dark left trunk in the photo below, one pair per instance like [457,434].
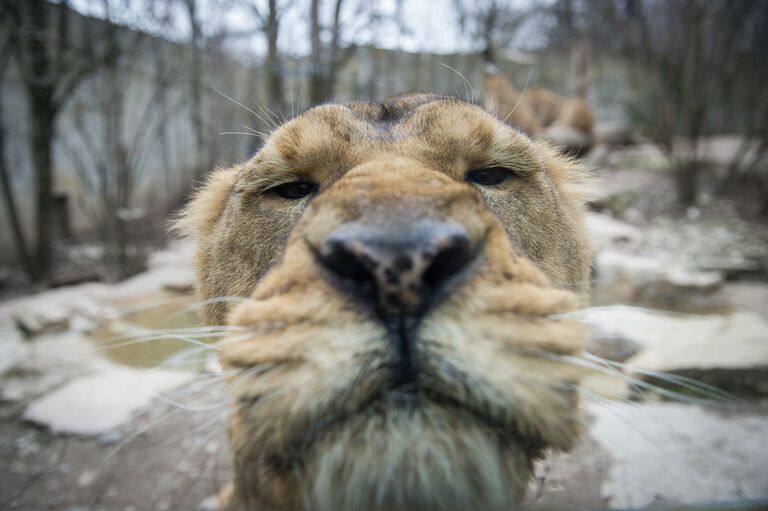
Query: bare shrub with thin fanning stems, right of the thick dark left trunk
[118,131]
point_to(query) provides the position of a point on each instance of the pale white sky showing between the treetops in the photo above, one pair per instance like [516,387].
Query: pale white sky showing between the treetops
[429,25]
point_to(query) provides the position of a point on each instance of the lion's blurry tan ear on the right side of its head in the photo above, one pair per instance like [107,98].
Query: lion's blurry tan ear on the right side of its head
[575,180]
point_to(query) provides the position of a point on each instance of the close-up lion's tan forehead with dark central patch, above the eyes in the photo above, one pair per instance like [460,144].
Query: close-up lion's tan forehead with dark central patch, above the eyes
[443,132]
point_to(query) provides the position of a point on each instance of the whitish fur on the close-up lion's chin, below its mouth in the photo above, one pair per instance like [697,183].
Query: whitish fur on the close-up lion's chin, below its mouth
[425,459]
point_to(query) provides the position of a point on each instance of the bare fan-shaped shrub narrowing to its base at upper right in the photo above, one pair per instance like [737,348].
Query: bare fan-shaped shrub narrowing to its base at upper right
[684,50]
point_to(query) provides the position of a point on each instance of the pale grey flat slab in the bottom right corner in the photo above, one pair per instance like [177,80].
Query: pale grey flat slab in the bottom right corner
[673,453]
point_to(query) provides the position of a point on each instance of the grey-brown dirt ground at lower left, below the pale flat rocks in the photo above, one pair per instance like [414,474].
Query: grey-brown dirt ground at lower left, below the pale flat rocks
[165,459]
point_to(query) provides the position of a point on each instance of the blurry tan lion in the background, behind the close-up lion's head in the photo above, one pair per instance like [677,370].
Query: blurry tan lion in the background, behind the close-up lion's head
[568,122]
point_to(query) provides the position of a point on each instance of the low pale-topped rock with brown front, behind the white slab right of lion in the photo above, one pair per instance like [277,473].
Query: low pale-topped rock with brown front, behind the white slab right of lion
[637,279]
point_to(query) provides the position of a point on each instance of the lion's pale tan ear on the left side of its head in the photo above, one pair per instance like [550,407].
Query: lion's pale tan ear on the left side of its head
[201,213]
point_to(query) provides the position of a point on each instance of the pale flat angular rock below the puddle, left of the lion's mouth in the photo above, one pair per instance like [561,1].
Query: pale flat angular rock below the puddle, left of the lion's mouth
[94,404]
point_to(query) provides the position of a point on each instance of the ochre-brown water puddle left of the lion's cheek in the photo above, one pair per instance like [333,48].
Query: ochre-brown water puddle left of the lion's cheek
[145,333]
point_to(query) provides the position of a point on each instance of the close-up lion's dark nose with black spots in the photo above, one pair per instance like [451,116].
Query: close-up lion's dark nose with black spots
[399,270]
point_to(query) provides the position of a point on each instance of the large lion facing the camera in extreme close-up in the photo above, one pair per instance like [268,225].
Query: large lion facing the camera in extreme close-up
[396,276]
